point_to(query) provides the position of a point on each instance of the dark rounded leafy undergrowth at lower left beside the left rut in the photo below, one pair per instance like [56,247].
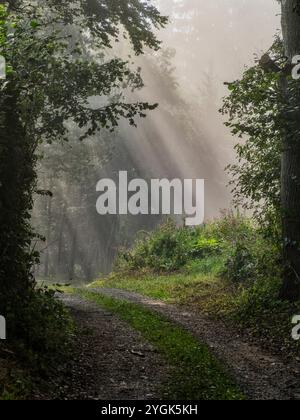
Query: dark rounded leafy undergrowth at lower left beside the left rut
[41,339]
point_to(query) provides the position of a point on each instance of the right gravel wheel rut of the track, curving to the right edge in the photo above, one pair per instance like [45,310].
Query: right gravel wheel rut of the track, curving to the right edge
[262,376]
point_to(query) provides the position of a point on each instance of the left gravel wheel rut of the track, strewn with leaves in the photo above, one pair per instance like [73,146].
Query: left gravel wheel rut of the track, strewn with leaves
[107,364]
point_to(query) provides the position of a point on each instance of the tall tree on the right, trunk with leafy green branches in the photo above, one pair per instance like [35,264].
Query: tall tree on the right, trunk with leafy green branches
[265,105]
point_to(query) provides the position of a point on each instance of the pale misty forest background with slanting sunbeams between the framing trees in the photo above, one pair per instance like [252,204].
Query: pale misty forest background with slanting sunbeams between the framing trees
[205,44]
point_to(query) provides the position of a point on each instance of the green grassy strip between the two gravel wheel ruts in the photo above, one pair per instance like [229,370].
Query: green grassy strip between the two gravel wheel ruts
[197,375]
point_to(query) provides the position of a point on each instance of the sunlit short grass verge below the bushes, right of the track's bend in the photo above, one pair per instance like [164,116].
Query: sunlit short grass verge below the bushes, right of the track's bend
[198,284]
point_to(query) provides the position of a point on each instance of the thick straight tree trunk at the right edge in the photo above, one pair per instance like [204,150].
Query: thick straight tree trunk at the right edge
[290,181]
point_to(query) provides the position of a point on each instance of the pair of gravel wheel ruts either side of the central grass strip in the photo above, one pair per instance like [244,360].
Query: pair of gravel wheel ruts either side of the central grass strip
[112,361]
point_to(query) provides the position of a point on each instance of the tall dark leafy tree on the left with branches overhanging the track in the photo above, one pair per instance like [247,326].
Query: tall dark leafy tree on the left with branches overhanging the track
[49,83]
